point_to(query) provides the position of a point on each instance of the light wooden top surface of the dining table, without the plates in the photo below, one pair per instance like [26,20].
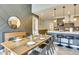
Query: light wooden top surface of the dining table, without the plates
[21,47]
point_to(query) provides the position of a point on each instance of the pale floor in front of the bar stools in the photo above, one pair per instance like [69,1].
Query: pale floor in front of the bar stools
[66,51]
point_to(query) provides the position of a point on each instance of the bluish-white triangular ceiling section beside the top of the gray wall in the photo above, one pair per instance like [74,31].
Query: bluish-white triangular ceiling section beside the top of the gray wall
[40,7]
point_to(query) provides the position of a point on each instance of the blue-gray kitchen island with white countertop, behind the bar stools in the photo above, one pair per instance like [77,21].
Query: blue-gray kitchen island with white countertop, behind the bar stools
[74,41]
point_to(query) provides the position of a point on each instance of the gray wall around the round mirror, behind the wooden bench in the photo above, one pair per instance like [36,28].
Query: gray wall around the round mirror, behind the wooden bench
[22,11]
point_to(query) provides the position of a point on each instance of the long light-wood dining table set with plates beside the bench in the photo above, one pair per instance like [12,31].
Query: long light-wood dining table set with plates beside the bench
[21,47]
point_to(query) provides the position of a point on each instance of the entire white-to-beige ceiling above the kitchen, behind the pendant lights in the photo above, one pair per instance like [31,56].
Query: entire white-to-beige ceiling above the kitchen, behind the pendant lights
[46,11]
